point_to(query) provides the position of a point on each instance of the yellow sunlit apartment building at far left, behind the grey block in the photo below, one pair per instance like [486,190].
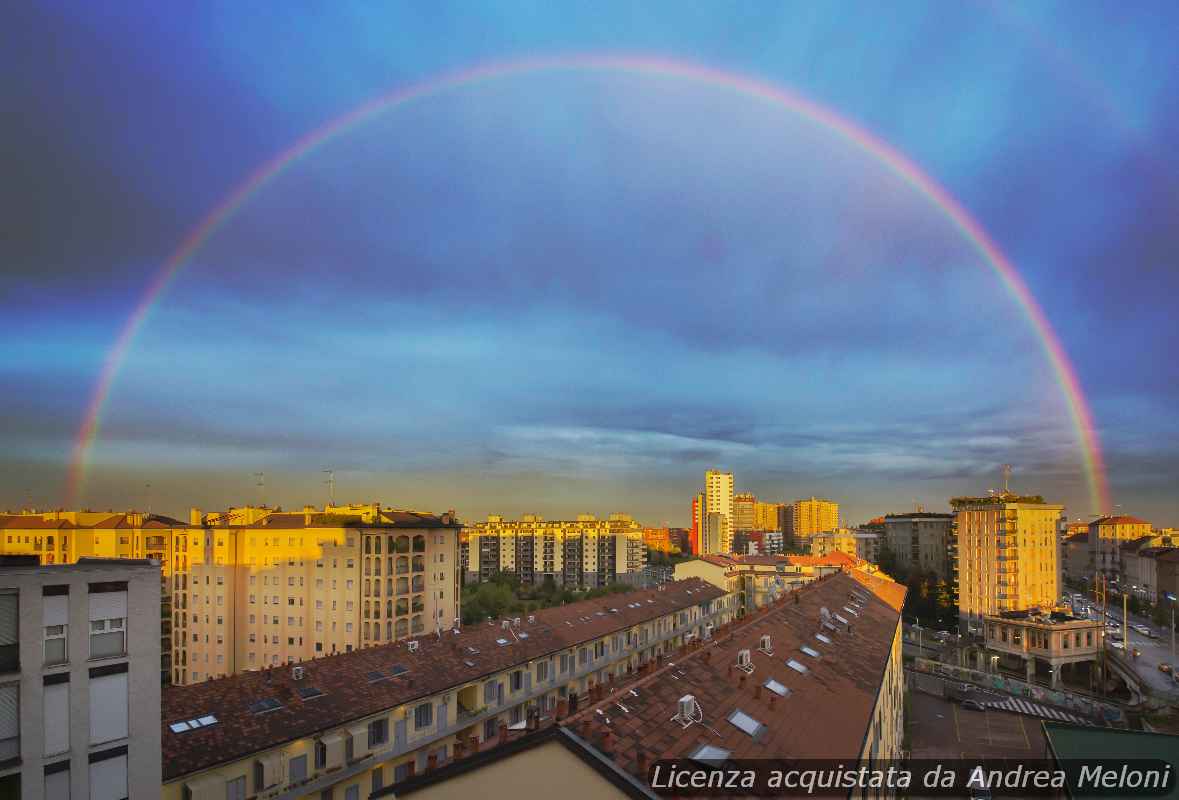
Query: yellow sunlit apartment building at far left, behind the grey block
[63,538]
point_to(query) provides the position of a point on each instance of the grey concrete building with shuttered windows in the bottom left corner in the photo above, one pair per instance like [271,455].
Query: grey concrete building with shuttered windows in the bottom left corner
[80,679]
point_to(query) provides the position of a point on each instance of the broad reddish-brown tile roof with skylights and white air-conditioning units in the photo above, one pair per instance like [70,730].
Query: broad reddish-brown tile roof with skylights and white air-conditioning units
[826,715]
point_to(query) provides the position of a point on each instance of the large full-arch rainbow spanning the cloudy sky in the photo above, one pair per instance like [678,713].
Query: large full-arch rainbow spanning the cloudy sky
[1082,419]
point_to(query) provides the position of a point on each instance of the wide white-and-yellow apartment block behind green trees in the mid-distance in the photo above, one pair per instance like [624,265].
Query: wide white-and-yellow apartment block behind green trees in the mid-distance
[582,553]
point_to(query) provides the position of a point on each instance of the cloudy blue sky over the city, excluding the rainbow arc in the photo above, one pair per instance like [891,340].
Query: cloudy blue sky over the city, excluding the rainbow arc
[577,292]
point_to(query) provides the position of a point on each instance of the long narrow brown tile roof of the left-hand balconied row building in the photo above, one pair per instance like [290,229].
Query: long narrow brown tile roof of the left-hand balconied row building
[440,664]
